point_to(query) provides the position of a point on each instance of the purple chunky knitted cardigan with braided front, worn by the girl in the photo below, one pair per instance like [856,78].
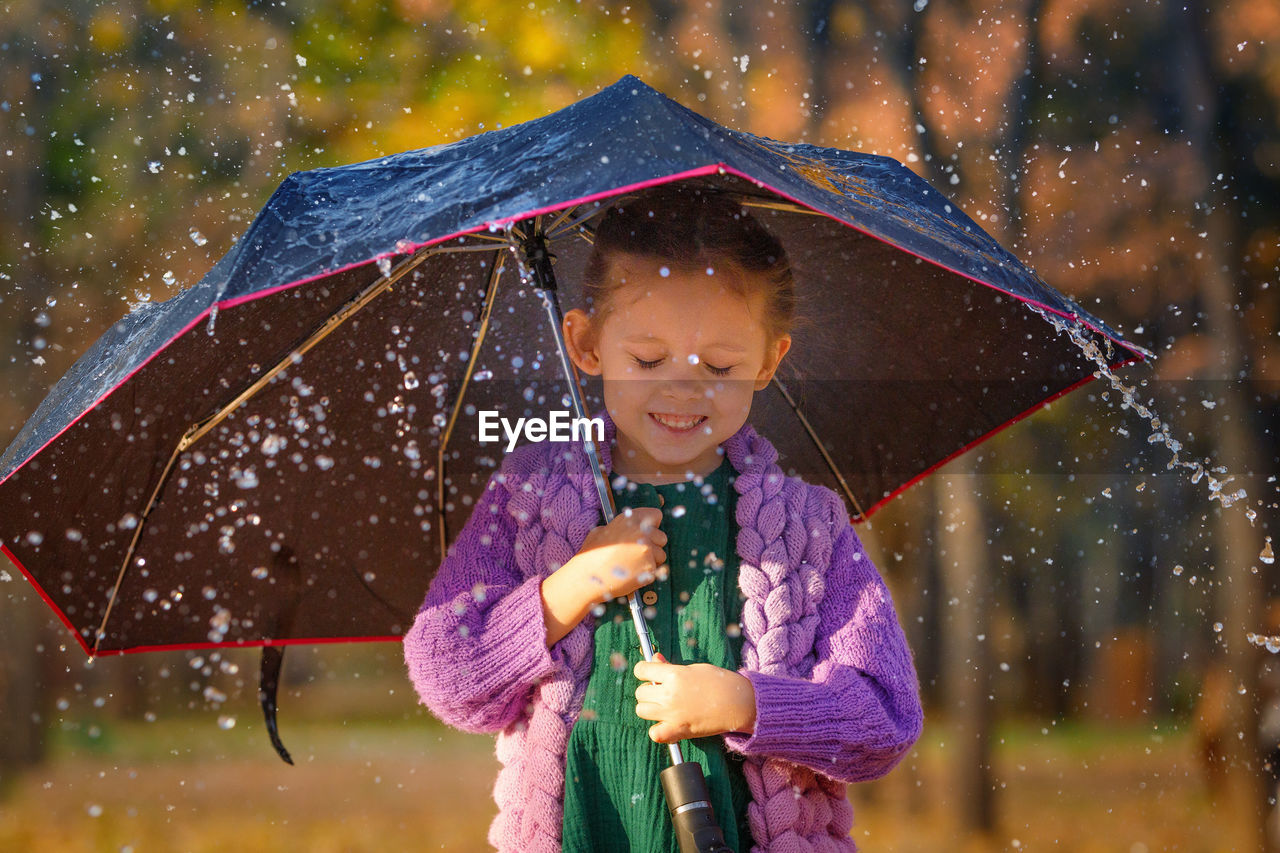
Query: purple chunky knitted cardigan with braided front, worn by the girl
[838,699]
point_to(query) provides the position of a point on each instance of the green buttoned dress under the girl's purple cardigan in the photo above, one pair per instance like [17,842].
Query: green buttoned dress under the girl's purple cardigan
[614,800]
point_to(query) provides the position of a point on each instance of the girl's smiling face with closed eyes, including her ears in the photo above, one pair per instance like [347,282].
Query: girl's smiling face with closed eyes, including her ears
[682,357]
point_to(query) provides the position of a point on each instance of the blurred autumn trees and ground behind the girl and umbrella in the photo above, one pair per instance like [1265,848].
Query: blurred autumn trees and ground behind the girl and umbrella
[1081,615]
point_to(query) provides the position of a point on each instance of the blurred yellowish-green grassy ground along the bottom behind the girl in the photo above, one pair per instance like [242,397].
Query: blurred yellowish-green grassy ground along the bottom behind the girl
[404,782]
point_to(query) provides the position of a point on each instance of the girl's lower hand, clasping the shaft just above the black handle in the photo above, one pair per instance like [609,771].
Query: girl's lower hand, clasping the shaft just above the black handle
[693,701]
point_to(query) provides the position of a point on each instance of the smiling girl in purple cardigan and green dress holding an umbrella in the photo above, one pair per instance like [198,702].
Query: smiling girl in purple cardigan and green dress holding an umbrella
[783,667]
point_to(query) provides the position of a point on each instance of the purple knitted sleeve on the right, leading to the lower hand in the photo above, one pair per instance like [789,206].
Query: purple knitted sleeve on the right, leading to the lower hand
[860,713]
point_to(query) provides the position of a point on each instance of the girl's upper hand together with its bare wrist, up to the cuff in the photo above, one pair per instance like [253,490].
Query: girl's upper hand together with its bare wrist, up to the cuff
[615,560]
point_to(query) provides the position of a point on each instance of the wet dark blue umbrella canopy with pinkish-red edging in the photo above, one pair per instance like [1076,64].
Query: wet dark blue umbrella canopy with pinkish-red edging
[281,453]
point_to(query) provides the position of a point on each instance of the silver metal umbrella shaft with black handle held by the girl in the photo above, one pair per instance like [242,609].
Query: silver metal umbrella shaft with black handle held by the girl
[683,784]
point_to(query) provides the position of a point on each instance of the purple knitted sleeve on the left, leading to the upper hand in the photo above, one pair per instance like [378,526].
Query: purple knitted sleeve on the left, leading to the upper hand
[478,646]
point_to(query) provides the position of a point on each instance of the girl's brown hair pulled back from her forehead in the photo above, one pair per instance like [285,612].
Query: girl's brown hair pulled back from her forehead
[693,227]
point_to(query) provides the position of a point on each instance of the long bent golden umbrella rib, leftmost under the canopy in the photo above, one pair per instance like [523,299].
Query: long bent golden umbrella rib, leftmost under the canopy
[199,430]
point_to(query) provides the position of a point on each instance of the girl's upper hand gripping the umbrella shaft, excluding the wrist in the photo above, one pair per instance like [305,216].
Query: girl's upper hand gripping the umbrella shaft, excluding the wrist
[624,555]
